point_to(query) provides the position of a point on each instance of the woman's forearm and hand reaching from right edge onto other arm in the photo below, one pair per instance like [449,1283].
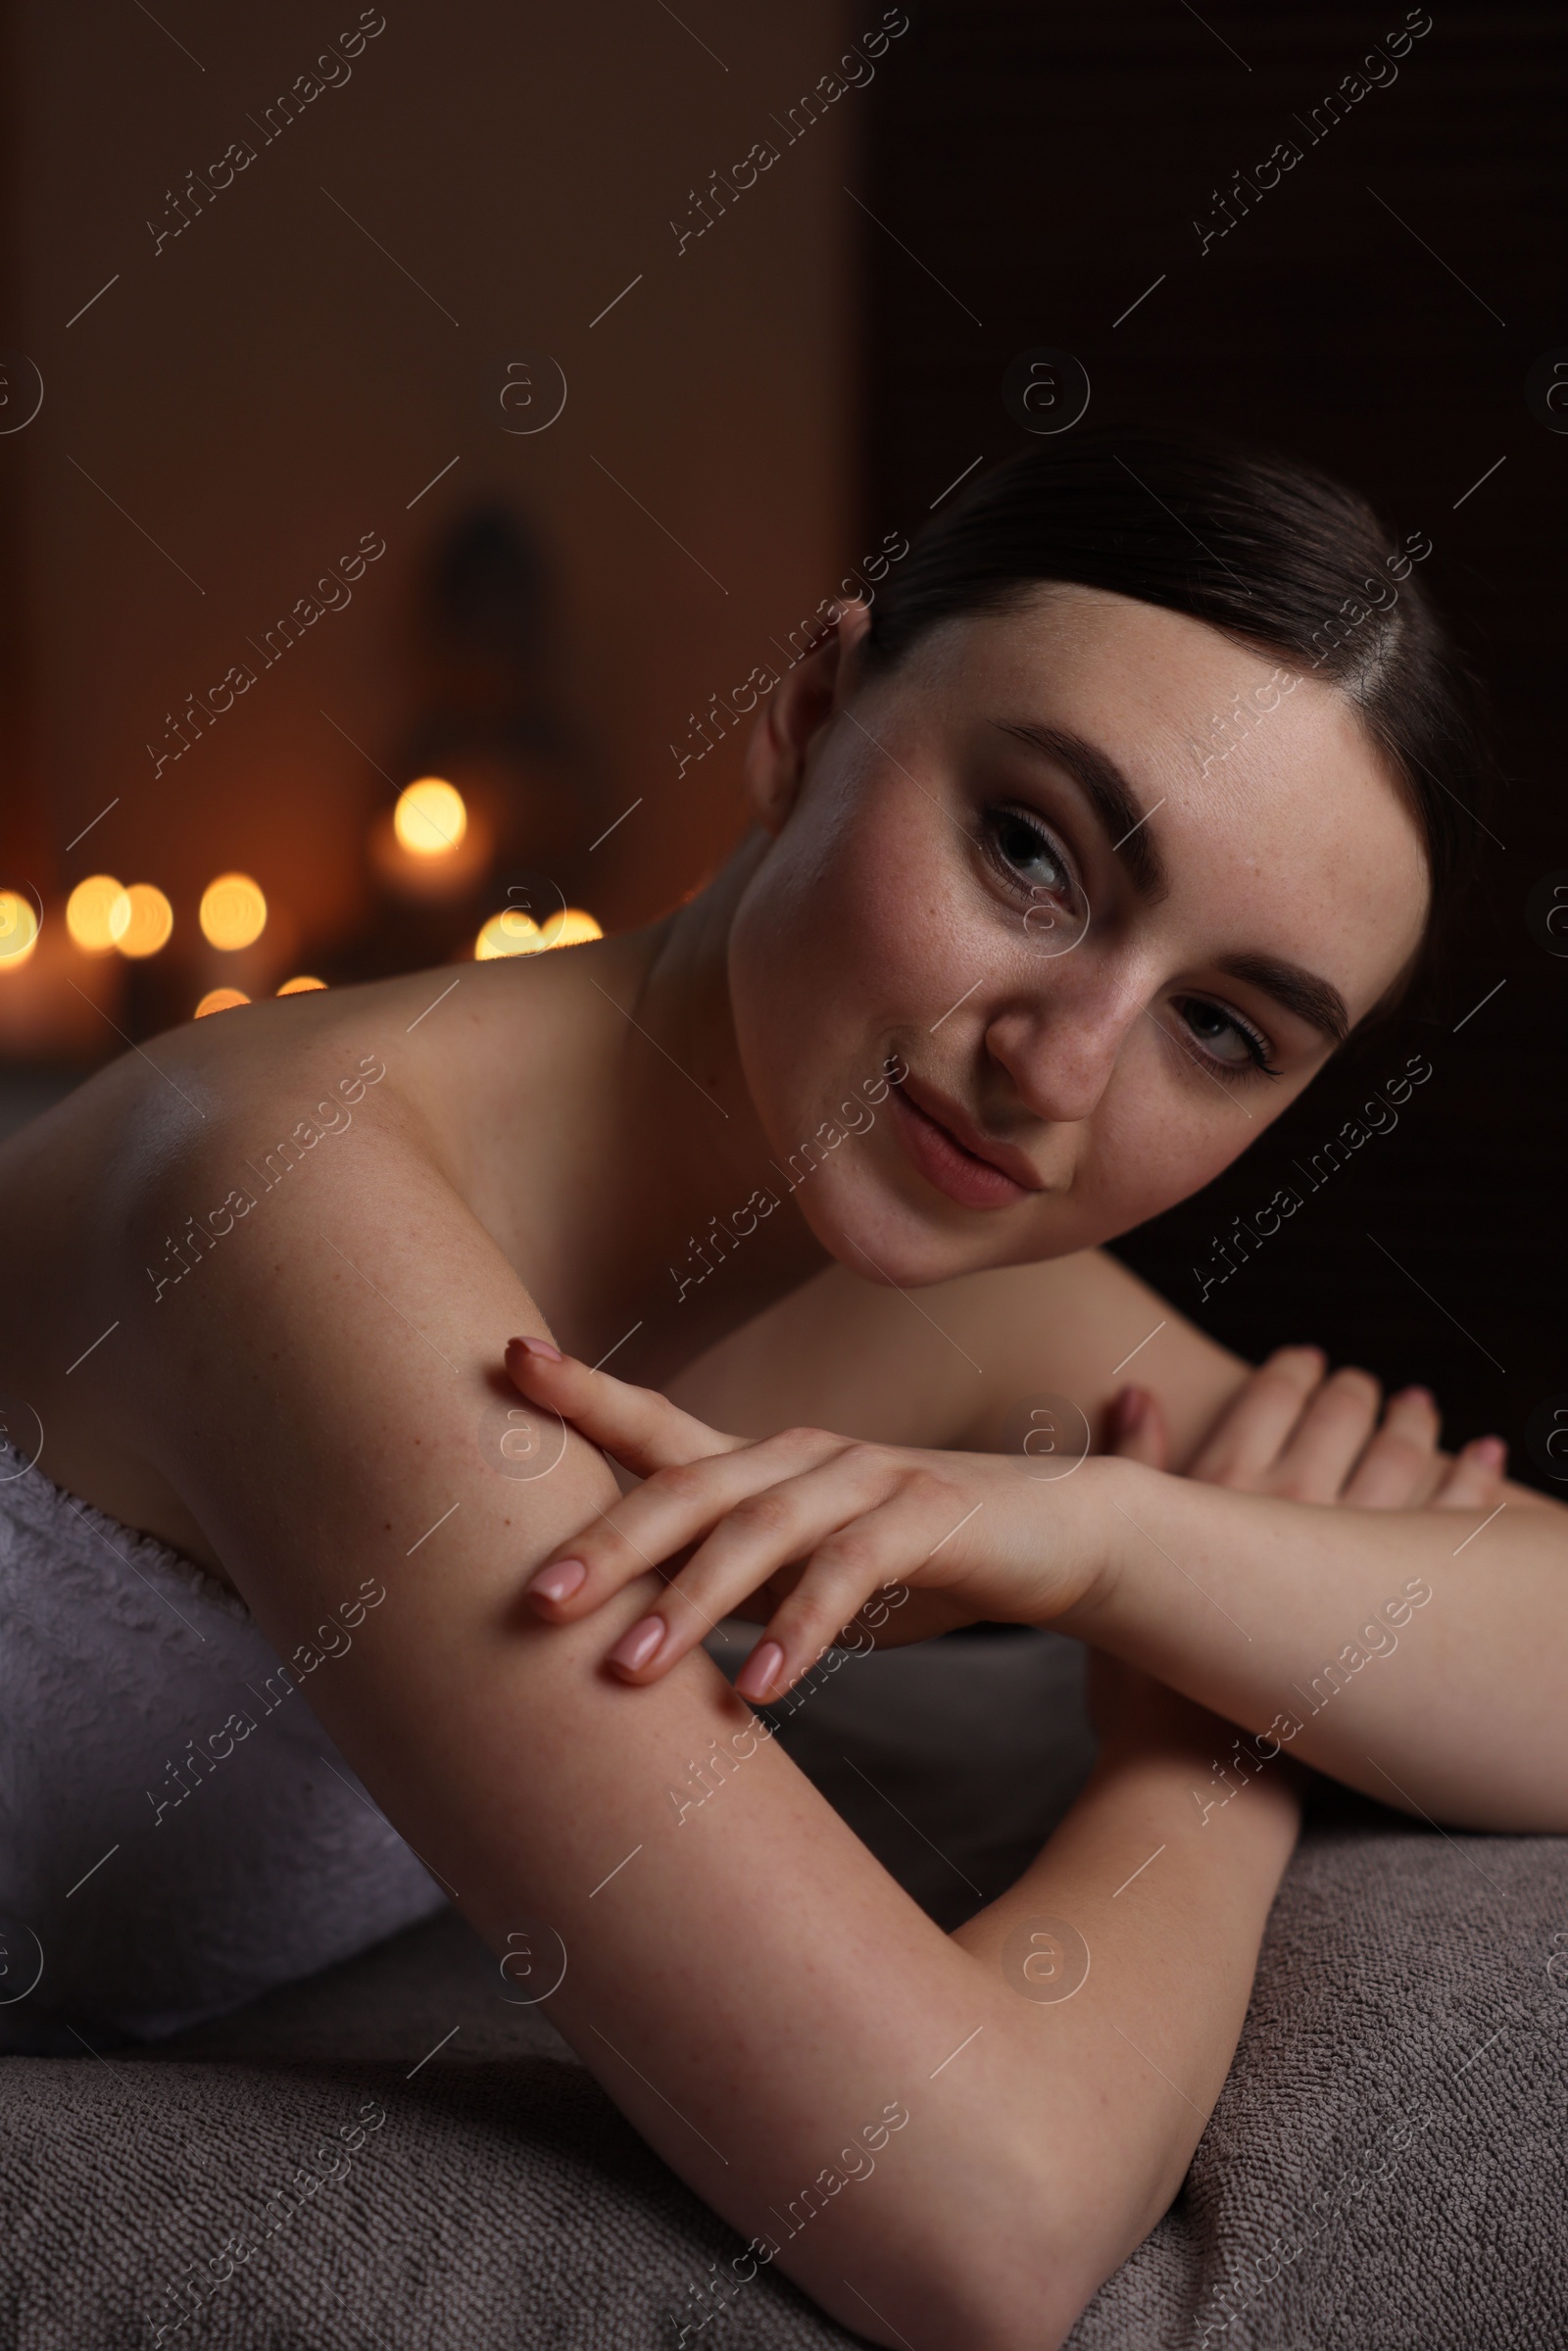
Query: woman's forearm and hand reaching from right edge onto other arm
[1407,1652]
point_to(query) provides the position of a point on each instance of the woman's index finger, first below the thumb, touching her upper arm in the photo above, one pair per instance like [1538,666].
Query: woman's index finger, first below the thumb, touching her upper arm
[664,1518]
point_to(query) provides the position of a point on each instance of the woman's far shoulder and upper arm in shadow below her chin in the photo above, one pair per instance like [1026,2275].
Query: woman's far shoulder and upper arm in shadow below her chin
[951,1365]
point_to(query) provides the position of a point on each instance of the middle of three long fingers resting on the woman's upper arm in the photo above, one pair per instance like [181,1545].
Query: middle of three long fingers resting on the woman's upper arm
[760,1536]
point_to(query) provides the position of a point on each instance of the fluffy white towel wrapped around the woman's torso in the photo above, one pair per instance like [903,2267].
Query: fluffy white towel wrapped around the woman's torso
[177,1833]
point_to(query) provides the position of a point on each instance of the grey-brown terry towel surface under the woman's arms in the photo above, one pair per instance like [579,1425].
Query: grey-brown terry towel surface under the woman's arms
[1383,2173]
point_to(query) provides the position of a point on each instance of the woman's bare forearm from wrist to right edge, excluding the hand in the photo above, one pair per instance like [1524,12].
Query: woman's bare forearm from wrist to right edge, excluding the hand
[1409,1654]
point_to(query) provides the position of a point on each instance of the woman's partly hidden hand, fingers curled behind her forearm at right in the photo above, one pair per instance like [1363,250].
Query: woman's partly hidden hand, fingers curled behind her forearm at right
[1308,1435]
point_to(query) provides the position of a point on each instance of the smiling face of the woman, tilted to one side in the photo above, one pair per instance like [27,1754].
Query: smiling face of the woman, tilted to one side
[1106,939]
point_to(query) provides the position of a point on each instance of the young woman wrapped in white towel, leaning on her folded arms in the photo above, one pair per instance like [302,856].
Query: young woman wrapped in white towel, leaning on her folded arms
[1073,862]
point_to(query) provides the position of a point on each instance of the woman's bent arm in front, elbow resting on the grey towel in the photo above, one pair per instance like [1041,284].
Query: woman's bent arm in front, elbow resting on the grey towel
[749,1985]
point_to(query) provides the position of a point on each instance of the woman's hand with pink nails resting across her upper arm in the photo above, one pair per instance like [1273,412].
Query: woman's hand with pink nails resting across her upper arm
[826,1529]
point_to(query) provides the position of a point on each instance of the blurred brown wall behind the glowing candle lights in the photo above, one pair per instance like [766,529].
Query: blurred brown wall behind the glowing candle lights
[253,368]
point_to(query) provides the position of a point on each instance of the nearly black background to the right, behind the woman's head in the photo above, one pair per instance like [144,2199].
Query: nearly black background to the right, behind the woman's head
[1047,168]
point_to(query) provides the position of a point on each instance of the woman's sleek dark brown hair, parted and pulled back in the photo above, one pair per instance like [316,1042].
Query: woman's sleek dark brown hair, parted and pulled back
[1268,551]
